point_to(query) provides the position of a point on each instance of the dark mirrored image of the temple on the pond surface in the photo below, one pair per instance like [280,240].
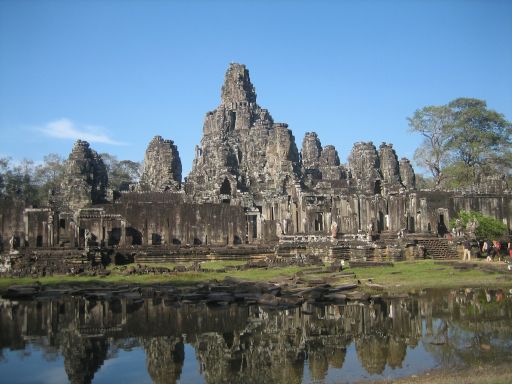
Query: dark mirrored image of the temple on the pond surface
[251,344]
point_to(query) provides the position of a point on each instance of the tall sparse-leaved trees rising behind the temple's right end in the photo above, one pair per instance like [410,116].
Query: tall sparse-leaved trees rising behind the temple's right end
[464,141]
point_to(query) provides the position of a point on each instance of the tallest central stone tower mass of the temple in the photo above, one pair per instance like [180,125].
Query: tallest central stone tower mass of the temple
[242,149]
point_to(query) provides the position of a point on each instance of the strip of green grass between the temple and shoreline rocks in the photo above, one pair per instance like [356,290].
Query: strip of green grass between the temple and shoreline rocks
[403,276]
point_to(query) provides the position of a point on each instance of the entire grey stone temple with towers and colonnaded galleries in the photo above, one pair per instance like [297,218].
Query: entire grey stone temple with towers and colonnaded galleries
[251,191]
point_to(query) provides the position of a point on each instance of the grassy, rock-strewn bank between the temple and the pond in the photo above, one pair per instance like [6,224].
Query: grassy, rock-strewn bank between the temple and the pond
[274,286]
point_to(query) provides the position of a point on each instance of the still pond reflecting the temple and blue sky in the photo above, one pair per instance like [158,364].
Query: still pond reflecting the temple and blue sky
[73,339]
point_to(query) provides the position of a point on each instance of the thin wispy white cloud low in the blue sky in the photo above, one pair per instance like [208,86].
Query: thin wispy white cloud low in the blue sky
[67,129]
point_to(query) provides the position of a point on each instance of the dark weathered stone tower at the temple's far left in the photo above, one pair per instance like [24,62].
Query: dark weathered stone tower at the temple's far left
[85,180]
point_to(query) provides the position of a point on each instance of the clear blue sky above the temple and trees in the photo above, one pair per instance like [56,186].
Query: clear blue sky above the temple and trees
[117,73]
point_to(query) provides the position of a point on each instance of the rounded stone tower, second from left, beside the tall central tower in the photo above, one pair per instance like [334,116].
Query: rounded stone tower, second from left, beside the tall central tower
[162,166]
